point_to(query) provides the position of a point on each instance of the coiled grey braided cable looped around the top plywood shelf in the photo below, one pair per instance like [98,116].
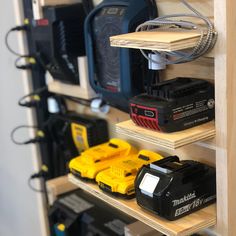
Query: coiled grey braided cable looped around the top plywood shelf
[206,41]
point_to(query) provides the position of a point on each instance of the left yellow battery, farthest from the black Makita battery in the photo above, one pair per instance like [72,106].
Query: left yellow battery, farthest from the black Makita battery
[99,158]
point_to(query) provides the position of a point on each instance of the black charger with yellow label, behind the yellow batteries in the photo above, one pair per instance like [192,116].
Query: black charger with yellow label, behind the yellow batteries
[72,133]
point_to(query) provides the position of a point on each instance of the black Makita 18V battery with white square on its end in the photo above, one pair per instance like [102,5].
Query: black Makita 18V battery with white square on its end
[172,188]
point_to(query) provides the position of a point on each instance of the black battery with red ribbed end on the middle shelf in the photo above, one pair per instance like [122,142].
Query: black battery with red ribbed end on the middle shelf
[174,105]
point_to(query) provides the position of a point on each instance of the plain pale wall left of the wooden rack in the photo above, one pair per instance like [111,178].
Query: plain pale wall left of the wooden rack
[20,208]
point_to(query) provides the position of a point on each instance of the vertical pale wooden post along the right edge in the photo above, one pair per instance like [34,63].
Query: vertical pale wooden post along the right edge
[225,85]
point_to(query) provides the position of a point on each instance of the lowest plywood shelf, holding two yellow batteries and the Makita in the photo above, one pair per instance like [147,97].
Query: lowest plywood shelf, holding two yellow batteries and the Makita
[182,227]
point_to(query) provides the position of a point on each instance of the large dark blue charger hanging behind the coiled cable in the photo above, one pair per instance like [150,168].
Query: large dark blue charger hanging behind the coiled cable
[117,74]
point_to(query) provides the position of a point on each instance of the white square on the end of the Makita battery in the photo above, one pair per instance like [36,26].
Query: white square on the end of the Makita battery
[148,184]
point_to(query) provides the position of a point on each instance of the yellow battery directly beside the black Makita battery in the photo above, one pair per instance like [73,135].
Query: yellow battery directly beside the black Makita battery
[119,178]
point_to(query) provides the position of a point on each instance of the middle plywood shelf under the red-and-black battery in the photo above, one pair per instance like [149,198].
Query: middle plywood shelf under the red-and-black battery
[167,140]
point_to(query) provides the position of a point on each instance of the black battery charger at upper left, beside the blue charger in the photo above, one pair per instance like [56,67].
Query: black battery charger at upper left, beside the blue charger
[59,39]
